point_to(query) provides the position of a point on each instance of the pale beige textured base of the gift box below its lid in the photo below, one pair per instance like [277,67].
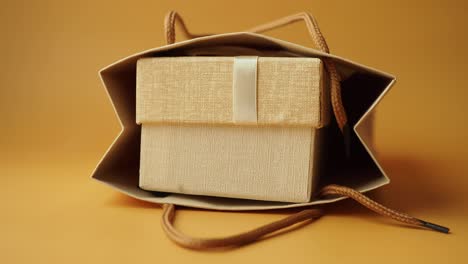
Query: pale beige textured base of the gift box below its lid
[266,163]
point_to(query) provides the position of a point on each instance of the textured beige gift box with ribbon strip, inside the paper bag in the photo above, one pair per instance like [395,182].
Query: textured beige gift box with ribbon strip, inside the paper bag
[239,127]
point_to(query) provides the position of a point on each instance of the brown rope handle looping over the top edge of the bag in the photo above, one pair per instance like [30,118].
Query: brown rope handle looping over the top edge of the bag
[173,17]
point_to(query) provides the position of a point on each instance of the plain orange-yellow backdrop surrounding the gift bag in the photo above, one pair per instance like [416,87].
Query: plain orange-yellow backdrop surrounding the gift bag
[57,122]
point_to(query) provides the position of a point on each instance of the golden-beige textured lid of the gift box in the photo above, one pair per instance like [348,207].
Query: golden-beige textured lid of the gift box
[289,91]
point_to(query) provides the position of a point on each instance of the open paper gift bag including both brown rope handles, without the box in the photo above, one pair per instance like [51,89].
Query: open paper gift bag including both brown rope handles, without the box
[355,91]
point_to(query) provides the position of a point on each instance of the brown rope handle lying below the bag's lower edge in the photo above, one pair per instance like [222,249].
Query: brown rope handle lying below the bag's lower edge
[253,235]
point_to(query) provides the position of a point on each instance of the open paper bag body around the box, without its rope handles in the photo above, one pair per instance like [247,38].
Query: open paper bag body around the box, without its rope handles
[362,90]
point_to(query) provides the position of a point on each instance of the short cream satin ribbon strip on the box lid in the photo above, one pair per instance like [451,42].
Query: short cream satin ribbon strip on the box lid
[244,89]
